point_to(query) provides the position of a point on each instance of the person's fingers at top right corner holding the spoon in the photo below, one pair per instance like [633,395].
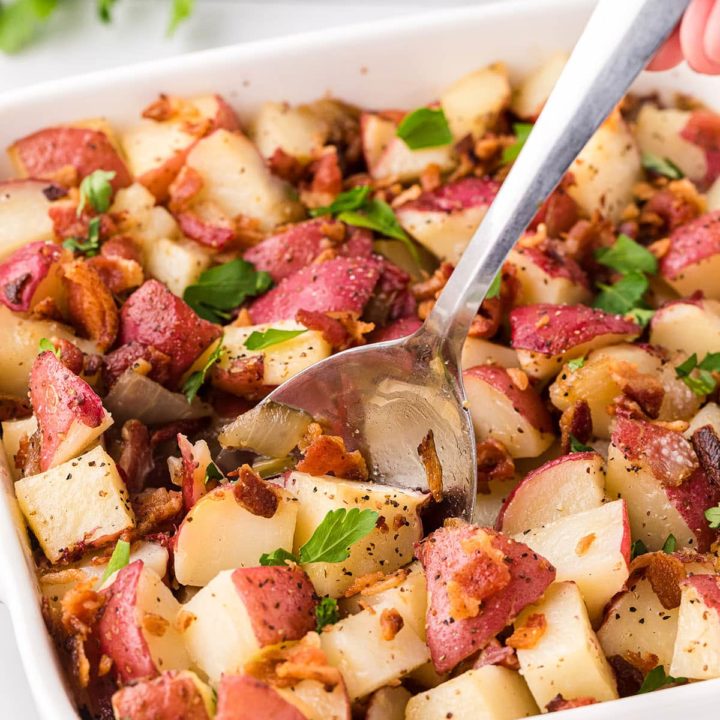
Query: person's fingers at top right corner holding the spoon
[696,39]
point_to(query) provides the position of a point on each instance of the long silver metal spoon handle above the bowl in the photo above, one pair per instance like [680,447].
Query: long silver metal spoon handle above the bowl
[618,41]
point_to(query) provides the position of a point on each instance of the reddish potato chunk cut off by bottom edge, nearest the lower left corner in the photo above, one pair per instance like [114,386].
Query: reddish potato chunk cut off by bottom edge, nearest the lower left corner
[172,696]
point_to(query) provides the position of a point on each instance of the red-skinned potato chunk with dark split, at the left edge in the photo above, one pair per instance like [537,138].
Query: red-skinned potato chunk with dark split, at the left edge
[30,274]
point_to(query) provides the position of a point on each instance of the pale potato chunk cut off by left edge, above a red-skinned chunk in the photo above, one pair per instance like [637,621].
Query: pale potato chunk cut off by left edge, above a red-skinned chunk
[23,214]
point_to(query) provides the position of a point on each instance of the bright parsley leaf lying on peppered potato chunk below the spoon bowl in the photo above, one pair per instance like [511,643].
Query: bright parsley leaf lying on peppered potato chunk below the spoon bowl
[338,530]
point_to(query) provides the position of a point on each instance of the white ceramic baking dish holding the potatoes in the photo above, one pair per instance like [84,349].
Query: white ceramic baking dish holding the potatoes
[395,63]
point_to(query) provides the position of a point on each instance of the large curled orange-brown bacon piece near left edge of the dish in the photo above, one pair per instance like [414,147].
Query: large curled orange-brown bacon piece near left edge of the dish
[91,307]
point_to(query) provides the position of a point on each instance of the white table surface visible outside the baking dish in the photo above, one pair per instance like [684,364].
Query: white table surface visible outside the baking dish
[73,42]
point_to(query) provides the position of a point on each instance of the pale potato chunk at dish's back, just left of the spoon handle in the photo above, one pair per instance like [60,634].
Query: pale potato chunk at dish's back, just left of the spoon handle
[473,102]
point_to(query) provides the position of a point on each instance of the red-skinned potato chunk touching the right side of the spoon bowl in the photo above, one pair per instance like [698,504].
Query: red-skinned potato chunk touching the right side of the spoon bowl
[504,412]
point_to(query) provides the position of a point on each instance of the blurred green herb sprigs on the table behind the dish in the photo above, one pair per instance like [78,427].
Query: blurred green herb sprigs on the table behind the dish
[20,20]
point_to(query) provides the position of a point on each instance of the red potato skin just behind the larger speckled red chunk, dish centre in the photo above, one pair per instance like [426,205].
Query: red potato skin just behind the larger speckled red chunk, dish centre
[286,252]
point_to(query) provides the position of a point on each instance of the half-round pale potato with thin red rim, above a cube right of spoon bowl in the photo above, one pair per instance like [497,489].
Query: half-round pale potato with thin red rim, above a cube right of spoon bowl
[569,485]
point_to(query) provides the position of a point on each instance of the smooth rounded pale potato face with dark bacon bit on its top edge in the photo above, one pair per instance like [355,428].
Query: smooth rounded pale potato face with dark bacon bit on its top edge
[220,534]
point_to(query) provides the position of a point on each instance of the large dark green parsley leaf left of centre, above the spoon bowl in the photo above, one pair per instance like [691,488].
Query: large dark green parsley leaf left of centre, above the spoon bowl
[224,287]
